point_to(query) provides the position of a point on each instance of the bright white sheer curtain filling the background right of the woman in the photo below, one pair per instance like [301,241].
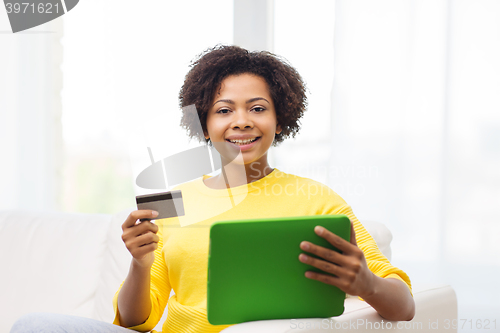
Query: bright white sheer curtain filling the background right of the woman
[412,138]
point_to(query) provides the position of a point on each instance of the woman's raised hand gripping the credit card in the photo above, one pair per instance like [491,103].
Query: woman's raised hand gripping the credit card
[140,237]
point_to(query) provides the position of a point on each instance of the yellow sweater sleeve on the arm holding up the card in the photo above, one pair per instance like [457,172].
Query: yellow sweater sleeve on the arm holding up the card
[159,292]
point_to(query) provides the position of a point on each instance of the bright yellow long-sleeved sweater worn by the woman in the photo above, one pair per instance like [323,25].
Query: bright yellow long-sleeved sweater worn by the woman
[181,259]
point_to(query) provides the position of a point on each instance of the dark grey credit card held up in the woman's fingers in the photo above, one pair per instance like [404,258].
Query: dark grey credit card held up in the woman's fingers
[167,204]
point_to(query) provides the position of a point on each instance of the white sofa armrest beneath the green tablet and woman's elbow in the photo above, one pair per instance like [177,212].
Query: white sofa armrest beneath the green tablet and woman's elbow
[436,308]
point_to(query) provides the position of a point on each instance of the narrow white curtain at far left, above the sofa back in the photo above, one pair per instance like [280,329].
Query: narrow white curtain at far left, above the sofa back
[30,116]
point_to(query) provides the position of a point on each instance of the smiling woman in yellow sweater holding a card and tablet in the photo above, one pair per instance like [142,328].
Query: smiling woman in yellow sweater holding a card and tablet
[246,102]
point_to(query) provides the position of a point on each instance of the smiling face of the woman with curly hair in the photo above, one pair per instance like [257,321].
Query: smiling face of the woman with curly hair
[242,118]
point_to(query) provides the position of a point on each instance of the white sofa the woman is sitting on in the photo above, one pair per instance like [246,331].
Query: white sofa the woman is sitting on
[73,264]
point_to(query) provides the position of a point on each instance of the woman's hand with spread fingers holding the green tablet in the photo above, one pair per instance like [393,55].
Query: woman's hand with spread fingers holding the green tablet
[350,271]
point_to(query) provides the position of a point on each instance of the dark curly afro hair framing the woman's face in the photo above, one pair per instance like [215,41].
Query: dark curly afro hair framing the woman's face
[211,67]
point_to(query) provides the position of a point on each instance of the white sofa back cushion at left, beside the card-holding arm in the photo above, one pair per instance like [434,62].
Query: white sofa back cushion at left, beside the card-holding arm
[52,262]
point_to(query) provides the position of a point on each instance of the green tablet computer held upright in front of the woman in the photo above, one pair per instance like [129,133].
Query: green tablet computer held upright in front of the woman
[254,272]
